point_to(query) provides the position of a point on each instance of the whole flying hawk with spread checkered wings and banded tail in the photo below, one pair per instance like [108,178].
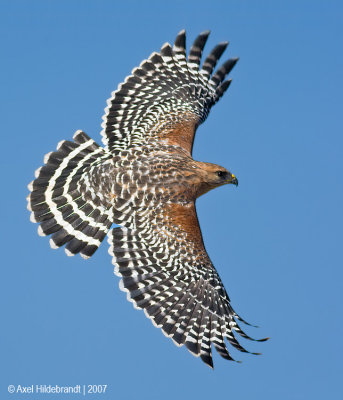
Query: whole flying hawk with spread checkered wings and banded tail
[145,181]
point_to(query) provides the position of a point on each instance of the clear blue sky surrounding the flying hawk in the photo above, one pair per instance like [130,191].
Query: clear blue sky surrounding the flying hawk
[276,240]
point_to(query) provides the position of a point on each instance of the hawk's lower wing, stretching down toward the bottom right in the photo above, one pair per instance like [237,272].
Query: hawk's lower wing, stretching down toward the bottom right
[166,271]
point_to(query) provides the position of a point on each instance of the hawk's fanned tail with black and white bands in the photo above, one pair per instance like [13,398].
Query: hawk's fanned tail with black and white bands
[64,201]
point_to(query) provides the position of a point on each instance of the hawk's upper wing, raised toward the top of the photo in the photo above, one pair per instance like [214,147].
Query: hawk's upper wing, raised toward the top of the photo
[166,97]
